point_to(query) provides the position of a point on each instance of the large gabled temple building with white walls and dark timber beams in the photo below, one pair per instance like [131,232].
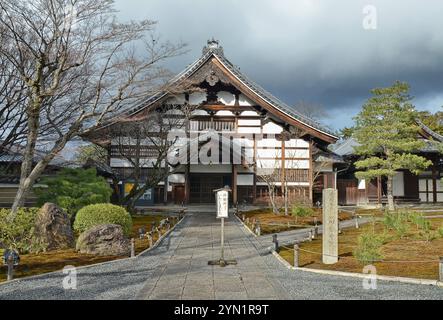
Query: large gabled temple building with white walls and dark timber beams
[269,143]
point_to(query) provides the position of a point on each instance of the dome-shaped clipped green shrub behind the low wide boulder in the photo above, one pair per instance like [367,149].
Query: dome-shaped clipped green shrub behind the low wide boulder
[102,213]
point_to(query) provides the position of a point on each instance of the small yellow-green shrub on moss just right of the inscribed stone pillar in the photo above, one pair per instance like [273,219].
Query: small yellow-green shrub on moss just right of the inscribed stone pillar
[368,249]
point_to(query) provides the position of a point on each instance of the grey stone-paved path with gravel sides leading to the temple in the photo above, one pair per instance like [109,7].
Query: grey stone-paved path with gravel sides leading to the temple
[178,269]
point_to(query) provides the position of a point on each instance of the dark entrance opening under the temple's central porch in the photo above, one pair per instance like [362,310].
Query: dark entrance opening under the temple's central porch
[202,186]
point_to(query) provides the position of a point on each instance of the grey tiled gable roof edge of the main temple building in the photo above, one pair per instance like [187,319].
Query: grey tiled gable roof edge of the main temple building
[217,52]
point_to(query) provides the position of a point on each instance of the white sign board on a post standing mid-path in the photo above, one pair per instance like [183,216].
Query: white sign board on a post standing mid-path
[222,203]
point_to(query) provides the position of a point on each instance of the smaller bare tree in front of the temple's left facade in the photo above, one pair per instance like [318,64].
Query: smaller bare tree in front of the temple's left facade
[145,143]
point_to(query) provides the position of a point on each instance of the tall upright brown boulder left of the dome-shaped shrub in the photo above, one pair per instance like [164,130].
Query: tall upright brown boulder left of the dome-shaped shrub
[52,229]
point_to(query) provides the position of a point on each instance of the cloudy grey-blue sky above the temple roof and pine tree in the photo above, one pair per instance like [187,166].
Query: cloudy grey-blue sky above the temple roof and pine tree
[311,50]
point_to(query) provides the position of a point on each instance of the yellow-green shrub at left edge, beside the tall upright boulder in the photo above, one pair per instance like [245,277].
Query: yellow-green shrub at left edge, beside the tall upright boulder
[18,235]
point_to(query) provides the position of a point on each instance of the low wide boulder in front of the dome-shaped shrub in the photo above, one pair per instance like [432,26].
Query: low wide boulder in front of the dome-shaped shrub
[104,240]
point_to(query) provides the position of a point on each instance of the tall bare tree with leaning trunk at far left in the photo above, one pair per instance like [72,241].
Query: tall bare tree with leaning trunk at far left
[79,66]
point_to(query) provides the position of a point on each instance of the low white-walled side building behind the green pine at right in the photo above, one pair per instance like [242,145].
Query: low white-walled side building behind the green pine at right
[407,187]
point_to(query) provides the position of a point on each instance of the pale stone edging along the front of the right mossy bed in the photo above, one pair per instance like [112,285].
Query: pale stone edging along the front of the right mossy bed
[359,275]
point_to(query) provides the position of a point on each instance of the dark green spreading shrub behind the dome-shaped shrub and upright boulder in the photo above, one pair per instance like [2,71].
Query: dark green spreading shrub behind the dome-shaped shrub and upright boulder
[73,189]
